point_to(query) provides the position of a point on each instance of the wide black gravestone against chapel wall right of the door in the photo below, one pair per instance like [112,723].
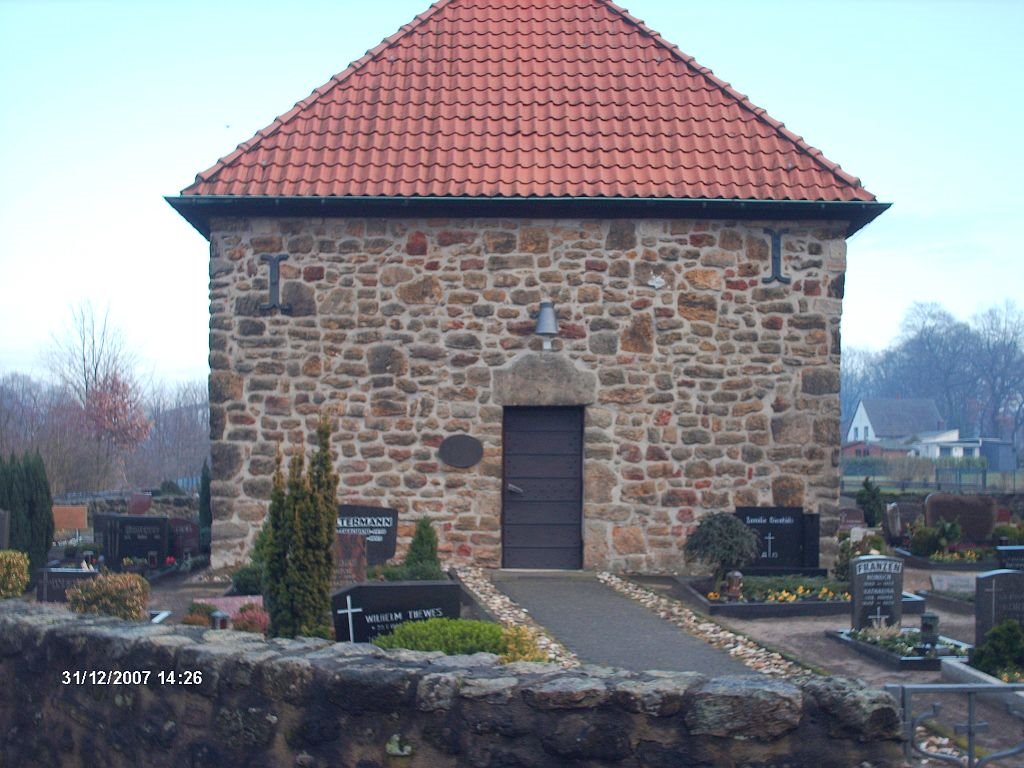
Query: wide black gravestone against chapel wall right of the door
[789,541]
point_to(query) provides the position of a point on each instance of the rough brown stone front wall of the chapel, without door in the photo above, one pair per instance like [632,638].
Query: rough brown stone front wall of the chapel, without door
[714,388]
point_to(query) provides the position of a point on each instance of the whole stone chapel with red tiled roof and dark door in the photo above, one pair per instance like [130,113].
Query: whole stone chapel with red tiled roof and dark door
[386,252]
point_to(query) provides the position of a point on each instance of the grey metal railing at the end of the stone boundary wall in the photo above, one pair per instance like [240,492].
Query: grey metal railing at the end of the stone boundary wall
[905,696]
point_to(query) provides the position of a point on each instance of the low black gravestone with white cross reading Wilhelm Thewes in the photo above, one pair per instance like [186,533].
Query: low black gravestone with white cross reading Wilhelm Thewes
[366,611]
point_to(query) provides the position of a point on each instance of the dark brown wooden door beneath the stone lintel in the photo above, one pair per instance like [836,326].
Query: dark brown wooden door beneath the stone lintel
[542,497]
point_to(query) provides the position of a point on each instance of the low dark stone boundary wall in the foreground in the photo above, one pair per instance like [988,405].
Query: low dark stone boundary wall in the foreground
[311,704]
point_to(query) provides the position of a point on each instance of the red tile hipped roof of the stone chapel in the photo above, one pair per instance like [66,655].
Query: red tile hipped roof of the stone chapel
[528,99]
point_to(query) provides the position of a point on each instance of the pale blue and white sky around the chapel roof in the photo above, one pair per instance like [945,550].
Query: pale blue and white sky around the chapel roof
[109,106]
